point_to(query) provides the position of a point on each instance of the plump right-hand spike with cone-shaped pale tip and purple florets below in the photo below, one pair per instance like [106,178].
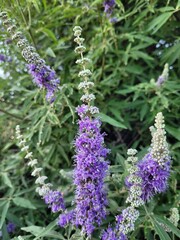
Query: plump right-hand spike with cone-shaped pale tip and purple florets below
[154,168]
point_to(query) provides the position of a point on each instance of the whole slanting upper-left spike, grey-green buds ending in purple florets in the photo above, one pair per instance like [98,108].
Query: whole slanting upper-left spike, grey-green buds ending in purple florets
[43,75]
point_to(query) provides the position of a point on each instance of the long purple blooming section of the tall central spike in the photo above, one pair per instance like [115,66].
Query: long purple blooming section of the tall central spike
[89,175]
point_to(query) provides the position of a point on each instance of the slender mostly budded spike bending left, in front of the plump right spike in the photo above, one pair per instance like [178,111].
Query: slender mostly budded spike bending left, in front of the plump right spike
[125,221]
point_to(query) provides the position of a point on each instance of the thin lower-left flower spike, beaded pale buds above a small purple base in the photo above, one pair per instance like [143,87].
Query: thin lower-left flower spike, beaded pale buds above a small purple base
[53,199]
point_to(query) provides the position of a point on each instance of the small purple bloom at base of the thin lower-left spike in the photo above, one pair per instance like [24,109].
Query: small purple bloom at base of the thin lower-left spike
[55,201]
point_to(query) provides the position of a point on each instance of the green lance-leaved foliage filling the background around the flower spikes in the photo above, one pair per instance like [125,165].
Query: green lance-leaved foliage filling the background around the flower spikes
[126,62]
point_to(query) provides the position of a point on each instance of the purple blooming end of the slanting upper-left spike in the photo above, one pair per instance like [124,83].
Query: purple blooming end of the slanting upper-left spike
[45,77]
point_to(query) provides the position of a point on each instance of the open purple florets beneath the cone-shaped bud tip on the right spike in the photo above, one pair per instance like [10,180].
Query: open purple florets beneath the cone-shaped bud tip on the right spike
[154,177]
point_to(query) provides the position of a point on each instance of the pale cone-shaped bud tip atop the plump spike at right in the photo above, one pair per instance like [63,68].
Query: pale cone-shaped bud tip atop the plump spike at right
[159,145]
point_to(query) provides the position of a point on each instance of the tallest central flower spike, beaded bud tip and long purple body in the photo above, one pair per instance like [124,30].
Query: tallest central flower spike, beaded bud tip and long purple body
[90,165]
